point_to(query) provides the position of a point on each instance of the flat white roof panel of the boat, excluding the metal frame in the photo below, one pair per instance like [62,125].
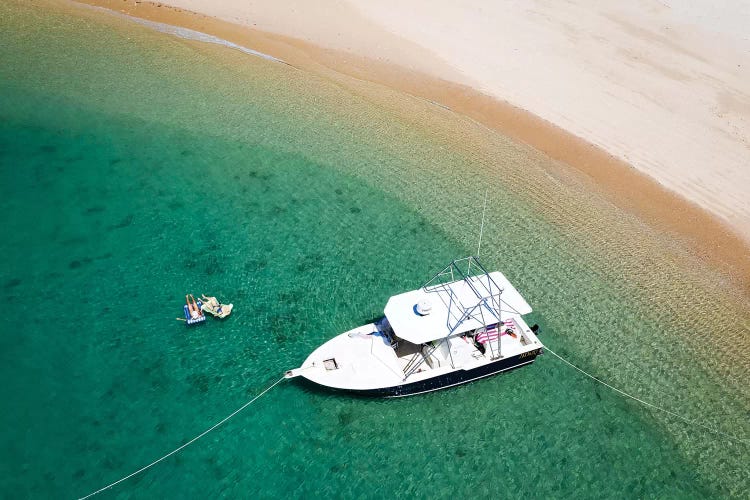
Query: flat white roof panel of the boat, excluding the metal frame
[410,326]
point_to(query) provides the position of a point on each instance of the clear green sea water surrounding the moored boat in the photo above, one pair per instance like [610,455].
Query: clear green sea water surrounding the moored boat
[137,167]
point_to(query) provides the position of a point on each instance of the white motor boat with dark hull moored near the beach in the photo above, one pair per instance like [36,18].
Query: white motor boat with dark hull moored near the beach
[462,325]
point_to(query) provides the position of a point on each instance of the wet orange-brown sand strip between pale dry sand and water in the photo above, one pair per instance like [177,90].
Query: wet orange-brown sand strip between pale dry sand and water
[708,237]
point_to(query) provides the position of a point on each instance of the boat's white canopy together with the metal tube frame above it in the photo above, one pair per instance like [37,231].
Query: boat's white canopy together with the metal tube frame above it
[457,305]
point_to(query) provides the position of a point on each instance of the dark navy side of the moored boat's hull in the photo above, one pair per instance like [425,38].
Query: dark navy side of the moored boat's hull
[446,380]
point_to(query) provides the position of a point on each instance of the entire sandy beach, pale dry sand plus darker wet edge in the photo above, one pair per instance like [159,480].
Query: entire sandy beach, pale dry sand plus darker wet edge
[650,101]
